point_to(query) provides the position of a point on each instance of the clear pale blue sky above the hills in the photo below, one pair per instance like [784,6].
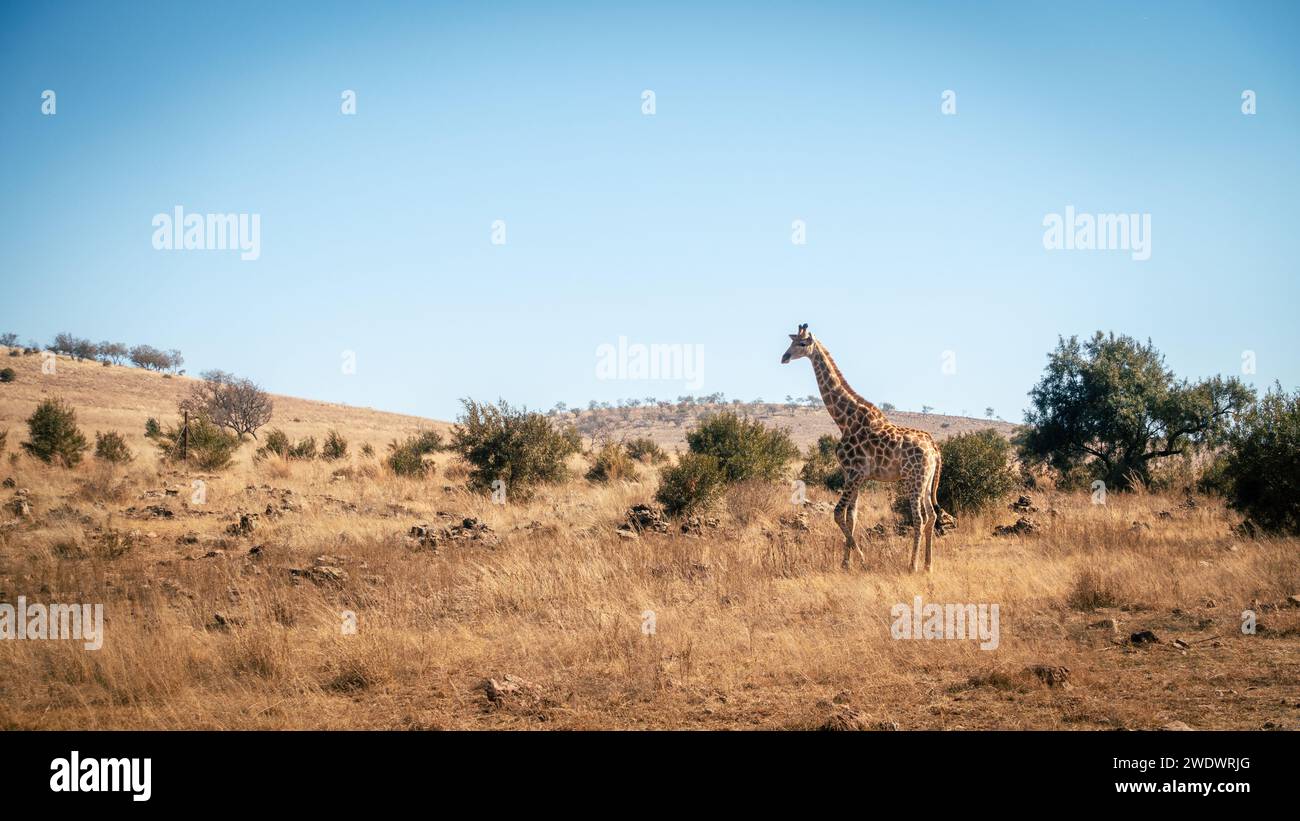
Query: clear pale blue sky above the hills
[925,232]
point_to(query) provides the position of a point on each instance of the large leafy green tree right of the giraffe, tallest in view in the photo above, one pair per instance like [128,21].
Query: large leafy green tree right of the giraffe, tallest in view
[1110,406]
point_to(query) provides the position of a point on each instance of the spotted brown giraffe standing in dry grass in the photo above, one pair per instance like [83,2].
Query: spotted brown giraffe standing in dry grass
[872,448]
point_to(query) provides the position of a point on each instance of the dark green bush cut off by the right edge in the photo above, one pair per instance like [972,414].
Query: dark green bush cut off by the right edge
[1262,467]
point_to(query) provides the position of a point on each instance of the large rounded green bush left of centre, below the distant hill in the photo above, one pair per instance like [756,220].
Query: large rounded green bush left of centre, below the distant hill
[517,446]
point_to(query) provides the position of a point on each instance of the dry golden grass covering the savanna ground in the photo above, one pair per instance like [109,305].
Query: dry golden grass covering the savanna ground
[756,625]
